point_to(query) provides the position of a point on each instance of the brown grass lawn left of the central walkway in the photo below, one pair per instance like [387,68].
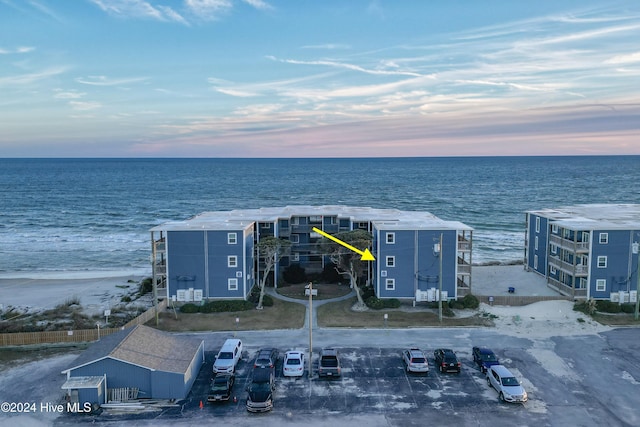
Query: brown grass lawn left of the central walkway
[282,315]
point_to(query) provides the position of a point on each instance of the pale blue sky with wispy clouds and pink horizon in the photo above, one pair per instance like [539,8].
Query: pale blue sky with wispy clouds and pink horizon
[310,78]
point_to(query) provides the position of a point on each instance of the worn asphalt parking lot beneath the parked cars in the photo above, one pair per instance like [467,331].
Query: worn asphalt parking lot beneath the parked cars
[586,380]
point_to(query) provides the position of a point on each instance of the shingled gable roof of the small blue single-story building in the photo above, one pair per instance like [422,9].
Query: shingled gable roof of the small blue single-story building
[142,346]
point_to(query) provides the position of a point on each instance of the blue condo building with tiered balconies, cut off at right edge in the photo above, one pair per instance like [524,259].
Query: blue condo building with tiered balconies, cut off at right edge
[586,251]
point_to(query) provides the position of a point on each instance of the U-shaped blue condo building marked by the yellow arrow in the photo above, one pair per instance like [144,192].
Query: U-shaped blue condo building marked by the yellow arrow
[213,255]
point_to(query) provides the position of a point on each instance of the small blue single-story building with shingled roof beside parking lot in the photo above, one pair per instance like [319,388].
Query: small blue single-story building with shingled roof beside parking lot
[138,362]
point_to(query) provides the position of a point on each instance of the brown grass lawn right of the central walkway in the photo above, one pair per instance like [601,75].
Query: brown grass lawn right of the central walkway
[339,314]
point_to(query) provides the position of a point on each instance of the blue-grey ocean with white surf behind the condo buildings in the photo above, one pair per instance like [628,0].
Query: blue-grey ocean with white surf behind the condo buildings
[78,216]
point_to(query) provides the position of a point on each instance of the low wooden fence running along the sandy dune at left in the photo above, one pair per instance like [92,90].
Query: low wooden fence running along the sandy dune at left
[80,335]
